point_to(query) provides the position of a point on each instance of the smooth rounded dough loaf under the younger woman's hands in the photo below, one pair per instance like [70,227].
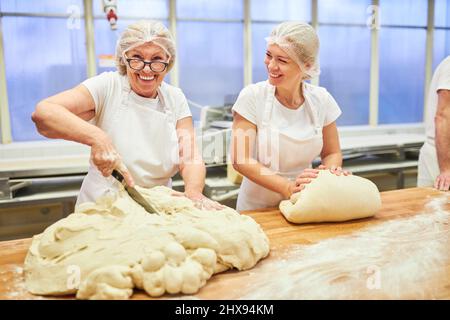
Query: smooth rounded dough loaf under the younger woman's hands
[333,198]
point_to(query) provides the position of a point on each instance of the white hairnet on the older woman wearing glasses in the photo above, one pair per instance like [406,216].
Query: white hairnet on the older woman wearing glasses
[142,32]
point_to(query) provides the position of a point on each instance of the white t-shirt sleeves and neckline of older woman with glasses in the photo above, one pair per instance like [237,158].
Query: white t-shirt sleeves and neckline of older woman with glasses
[106,90]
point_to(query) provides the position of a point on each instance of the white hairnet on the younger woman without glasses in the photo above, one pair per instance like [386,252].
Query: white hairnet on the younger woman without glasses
[301,43]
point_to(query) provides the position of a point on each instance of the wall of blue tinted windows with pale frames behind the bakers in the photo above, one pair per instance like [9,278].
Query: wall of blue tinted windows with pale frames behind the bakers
[44,45]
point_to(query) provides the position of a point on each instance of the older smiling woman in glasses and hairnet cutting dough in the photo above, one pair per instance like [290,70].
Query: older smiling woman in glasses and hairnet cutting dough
[131,119]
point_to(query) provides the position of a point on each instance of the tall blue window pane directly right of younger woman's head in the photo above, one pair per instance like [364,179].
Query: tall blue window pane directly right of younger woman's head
[345,70]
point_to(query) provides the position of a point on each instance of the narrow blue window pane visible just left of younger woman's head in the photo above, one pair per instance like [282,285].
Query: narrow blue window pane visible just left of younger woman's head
[259,32]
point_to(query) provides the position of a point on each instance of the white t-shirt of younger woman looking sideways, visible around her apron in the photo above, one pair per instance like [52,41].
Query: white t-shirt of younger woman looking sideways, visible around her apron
[294,122]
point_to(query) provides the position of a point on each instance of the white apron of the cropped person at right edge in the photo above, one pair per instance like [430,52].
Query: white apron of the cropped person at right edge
[428,167]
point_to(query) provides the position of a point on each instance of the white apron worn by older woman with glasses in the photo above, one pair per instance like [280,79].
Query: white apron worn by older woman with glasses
[146,139]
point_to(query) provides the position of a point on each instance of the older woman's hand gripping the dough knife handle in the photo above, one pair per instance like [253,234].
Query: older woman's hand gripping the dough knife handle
[106,159]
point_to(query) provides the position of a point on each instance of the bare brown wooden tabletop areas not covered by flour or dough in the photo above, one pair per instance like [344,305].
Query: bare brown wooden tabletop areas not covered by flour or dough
[282,235]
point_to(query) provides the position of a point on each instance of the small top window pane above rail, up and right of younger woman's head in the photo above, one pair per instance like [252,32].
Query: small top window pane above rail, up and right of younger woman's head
[344,11]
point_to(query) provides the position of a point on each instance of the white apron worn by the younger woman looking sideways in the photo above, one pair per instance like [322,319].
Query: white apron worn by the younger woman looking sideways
[284,154]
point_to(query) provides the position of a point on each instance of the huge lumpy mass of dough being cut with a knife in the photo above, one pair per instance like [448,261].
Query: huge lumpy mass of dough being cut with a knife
[107,248]
